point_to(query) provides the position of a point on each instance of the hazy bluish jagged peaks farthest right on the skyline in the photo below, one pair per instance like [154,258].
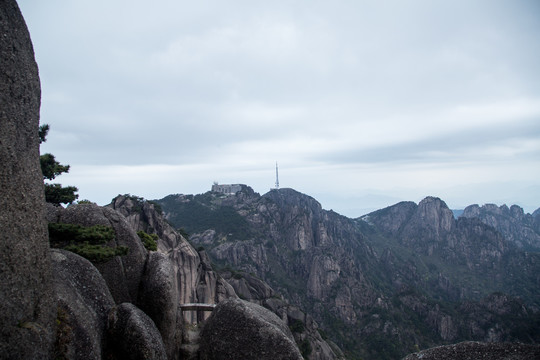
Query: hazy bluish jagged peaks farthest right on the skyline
[516,226]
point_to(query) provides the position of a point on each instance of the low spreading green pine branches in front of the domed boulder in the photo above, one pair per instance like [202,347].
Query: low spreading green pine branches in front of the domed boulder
[89,242]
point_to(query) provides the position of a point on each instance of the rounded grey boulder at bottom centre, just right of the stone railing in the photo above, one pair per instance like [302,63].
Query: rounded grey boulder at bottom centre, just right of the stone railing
[239,329]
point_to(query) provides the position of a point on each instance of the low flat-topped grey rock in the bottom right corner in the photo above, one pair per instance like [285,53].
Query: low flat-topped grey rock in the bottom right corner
[476,350]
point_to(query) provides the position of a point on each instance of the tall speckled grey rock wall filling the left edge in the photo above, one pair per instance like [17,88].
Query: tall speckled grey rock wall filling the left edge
[27,307]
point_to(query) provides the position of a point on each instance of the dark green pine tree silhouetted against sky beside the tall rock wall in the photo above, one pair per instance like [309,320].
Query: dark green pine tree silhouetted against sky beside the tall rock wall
[54,193]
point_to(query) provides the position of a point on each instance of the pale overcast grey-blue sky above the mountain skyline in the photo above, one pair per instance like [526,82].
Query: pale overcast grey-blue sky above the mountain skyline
[361,103]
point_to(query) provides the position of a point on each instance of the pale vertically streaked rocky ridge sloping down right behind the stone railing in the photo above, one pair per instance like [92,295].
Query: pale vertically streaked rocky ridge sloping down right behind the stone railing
[202,285]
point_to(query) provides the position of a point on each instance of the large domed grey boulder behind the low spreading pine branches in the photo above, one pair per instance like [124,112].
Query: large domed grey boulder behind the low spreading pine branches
[123,274]
